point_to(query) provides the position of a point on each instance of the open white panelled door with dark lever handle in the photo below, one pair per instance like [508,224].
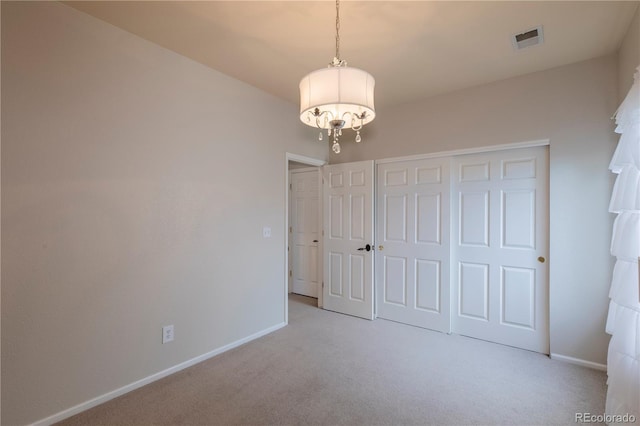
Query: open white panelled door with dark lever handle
[348,229]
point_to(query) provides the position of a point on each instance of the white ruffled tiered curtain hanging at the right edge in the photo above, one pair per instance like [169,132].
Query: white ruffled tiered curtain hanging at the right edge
[623,322]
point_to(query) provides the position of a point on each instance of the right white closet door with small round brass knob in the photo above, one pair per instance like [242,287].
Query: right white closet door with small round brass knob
[500,238]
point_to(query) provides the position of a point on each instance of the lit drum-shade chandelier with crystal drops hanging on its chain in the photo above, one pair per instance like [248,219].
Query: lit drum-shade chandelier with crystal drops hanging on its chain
[337,97]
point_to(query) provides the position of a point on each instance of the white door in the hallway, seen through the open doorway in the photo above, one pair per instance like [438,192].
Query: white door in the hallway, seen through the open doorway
[305,232]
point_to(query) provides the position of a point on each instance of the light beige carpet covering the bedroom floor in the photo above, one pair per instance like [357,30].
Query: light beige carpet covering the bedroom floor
[331,369]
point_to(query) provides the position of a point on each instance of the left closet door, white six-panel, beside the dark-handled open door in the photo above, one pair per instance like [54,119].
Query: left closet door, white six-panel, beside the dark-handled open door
[413,233]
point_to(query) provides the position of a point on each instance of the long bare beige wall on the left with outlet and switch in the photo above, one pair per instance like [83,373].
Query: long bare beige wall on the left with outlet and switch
[135,185]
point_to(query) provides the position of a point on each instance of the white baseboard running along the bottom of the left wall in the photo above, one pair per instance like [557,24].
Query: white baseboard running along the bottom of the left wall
[157,376]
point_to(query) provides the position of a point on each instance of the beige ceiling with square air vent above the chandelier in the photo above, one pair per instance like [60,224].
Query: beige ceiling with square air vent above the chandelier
[414,49]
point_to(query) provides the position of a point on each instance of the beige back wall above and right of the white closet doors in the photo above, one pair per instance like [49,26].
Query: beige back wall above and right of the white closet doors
[571,106]
